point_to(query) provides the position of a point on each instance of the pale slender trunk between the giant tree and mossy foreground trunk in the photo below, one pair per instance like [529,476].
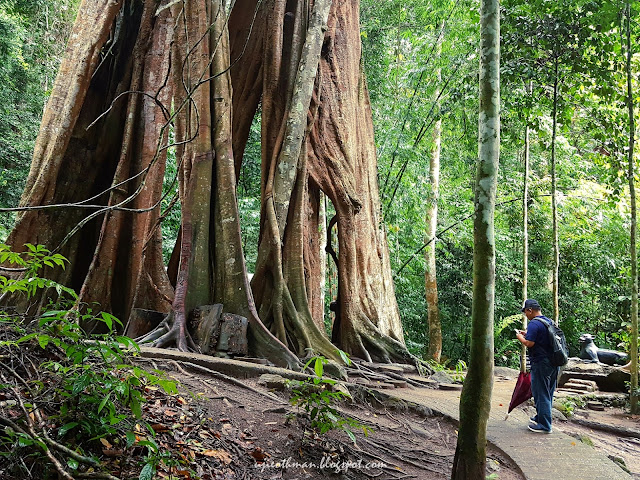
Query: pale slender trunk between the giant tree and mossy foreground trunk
[431,220]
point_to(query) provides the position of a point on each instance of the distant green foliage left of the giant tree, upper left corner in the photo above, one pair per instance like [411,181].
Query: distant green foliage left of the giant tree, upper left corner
[32,40]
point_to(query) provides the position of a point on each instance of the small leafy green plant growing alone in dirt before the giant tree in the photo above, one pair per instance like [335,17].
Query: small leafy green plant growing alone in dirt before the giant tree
[317,397]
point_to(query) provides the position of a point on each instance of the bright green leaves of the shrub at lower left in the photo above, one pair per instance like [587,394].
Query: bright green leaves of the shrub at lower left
[85,382]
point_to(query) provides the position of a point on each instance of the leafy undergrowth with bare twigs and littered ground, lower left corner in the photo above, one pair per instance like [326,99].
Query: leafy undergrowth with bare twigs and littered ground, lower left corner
[67,396]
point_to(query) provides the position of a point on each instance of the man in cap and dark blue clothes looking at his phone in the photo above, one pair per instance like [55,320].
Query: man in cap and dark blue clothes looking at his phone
[543,374]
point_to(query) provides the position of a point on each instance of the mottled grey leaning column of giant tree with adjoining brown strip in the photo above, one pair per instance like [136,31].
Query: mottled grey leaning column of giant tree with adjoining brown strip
[293,44]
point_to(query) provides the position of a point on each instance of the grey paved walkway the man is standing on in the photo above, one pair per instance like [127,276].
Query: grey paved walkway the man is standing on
[554,456]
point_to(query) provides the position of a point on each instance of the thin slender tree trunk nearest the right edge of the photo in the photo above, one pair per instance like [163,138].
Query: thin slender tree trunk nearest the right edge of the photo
[634,222]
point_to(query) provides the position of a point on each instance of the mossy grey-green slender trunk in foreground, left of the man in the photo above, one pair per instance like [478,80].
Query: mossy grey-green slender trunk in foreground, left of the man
[475,401]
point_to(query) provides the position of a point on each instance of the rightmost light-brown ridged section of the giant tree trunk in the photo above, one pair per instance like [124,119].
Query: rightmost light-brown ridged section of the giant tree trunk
[343,164]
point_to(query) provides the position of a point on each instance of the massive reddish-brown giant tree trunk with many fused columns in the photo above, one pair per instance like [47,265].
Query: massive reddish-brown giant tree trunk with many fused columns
[104,139]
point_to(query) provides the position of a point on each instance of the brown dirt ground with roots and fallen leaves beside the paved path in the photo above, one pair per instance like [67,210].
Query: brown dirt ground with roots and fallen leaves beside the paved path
[237,431]
